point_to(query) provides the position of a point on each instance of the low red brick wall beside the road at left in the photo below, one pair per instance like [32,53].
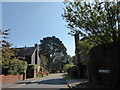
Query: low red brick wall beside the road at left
[10,78]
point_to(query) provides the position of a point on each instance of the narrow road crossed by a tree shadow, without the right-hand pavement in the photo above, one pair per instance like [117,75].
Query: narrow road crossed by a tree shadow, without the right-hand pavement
[51,81]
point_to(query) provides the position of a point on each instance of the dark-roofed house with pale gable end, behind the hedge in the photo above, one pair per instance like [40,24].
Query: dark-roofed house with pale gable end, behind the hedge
[31,55]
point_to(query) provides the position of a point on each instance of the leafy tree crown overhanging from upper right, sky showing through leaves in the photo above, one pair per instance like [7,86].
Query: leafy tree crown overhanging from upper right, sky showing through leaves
[99,20]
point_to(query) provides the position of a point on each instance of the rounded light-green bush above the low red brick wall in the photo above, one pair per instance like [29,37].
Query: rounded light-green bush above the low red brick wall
[17,67]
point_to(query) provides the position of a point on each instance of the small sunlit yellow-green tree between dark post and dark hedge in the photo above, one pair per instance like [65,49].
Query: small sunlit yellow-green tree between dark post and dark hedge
[85,46]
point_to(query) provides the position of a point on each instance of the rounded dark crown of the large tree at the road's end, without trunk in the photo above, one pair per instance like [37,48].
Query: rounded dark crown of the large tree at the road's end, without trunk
[52,46]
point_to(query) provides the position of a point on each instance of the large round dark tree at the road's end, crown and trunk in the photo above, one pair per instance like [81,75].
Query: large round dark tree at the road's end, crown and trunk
[52,48]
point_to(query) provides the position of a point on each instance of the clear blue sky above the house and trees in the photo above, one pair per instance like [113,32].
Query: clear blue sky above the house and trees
[30,22]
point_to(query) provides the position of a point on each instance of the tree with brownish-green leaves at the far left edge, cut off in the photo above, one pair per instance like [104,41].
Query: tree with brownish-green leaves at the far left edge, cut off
[6,51]
